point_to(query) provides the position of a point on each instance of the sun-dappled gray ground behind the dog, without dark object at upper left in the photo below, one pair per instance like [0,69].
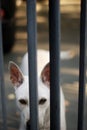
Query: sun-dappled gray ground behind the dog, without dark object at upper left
[69,68]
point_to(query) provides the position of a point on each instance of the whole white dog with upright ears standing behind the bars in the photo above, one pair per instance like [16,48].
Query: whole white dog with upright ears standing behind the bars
[19,78]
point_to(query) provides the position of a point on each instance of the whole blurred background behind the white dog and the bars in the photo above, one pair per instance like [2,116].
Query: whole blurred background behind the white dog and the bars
[14,27]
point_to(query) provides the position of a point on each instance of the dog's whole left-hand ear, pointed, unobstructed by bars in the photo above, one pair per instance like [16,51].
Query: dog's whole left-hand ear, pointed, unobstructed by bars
[16,75]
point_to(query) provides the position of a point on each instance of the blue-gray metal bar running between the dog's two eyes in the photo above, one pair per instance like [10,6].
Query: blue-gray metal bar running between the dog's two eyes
[32,46]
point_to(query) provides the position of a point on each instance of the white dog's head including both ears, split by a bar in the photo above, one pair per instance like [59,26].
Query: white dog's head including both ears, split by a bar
[21,86]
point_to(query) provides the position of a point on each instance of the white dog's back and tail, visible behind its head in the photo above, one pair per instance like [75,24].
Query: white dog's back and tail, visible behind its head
[42,59]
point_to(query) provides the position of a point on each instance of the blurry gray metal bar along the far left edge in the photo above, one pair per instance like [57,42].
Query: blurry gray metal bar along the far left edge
[3,100]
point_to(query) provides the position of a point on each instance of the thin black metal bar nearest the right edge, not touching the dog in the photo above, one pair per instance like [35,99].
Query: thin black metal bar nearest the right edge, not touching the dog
[82,69]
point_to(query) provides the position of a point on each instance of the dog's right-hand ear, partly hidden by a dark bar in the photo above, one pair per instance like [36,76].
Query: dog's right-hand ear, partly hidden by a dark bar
[45,75]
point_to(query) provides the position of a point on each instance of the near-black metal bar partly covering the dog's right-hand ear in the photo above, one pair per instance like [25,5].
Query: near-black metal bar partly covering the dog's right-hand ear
[54,39]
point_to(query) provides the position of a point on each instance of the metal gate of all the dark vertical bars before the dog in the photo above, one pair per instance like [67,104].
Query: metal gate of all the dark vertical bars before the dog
[54,37]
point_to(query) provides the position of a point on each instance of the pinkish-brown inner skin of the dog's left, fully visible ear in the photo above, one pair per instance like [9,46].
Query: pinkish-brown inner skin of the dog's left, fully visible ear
[15,75]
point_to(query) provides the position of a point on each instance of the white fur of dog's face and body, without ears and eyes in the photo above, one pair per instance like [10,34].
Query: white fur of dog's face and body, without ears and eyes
[22,92]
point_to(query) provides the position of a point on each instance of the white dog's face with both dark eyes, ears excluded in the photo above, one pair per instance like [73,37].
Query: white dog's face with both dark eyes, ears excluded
[22,97]
